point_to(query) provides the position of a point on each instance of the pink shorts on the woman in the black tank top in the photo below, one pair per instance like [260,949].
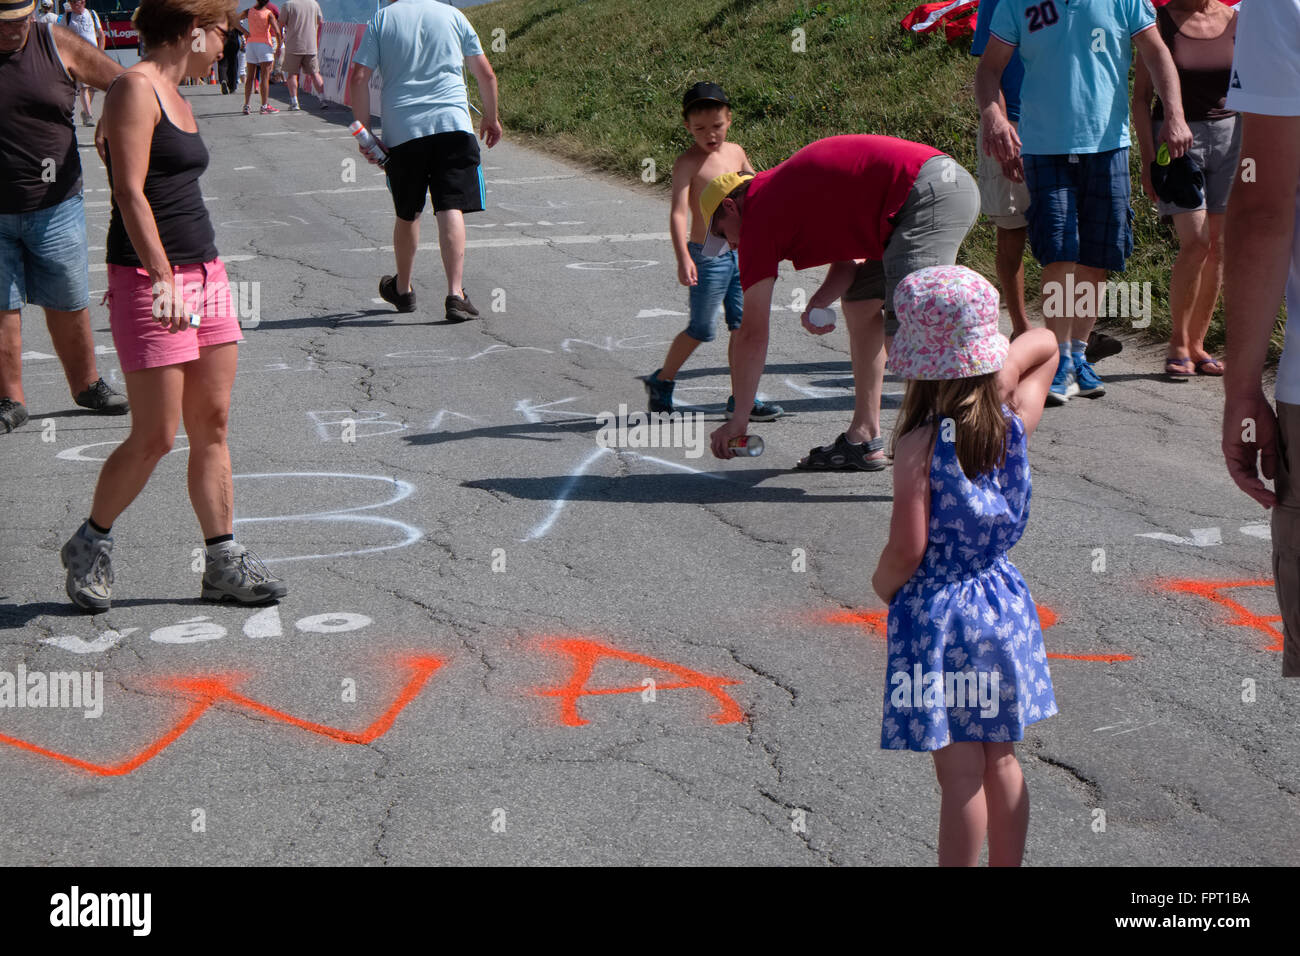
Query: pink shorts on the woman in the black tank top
[142,343]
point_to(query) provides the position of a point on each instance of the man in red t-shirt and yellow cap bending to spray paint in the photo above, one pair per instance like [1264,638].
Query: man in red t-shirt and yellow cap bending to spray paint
[873,209]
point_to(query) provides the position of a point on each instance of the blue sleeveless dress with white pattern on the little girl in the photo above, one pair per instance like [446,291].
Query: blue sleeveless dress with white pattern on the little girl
[967,656]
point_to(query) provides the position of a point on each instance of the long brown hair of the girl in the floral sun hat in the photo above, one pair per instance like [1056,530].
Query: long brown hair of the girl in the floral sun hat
[976,409]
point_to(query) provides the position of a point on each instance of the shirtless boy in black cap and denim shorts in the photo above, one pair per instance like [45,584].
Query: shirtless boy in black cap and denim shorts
[713,282]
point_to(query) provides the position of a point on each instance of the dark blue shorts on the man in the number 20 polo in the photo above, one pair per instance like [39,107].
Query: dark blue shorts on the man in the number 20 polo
[1080,210]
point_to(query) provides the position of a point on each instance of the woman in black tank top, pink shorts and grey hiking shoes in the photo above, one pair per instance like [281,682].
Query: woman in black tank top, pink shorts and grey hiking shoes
[171,309]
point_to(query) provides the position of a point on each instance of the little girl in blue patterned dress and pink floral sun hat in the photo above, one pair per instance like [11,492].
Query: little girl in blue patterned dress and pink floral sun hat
[968,671]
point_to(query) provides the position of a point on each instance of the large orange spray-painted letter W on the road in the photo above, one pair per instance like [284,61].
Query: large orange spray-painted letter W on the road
[215,689]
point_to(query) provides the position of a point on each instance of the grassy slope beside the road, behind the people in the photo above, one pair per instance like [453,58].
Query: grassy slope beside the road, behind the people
[601,83]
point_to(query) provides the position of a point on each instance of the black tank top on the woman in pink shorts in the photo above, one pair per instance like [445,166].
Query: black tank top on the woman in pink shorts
[177,159]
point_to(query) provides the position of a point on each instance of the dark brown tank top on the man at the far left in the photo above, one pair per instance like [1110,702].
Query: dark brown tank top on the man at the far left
[40,165]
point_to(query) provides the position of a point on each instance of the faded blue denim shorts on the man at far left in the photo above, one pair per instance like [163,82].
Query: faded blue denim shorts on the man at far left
[44,258]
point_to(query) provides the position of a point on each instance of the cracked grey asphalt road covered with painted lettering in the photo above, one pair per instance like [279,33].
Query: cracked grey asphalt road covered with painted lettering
[475,552]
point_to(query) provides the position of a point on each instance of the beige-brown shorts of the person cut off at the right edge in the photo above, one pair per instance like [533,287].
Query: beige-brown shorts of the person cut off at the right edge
[1286,537]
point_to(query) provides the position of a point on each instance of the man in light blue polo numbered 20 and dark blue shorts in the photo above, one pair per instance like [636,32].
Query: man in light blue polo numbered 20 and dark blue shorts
[1073,144]
